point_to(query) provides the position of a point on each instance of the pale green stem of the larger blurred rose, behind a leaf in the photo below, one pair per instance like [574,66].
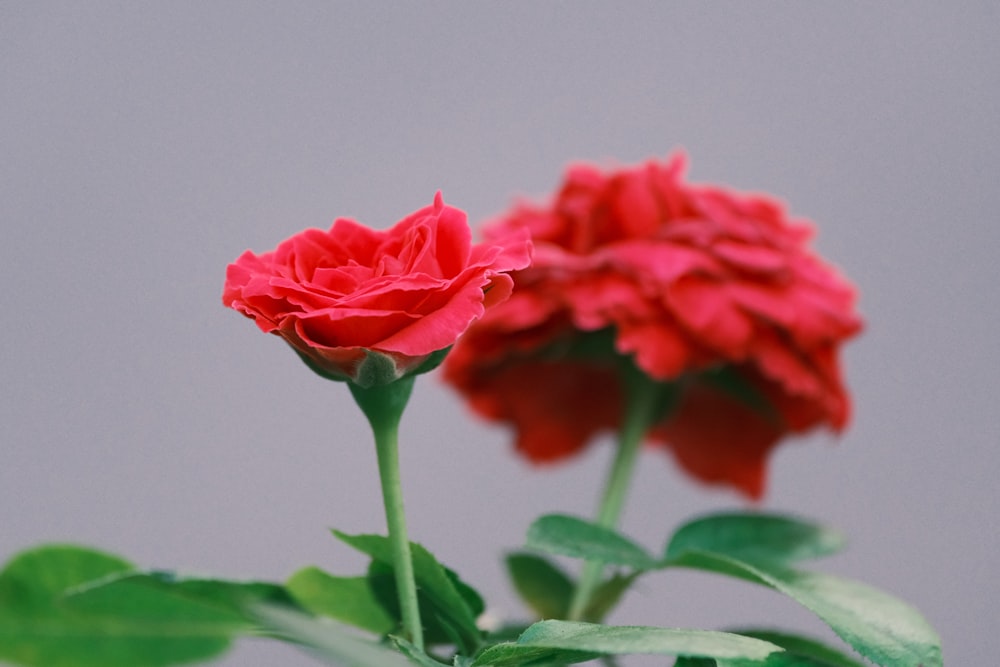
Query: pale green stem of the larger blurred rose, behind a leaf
[644,402]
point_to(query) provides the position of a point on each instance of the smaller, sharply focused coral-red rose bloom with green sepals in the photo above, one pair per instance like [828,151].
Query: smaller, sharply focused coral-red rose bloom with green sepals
[346,296]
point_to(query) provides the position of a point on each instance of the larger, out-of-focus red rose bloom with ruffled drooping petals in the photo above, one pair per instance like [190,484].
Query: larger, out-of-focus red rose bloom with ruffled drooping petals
[714,291]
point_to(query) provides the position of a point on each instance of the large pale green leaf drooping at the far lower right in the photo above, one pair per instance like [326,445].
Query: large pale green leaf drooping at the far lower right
[882,628]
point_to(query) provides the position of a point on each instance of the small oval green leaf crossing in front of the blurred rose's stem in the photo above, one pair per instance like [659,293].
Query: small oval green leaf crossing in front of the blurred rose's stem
[571,536]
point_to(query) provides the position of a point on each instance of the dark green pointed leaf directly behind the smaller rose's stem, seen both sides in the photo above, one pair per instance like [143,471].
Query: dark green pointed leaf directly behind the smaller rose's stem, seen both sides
[455,604]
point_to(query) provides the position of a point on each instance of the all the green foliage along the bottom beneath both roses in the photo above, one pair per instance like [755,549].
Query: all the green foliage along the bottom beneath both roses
[64,605]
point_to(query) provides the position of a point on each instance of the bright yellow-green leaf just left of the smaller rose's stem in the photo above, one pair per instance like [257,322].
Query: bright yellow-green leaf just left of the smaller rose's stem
[348,599]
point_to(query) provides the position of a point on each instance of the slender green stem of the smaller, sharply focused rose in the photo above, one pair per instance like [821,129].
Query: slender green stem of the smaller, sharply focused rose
[383,405]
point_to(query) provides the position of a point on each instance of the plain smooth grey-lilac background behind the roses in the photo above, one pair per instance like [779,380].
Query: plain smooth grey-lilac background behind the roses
[145,146]
